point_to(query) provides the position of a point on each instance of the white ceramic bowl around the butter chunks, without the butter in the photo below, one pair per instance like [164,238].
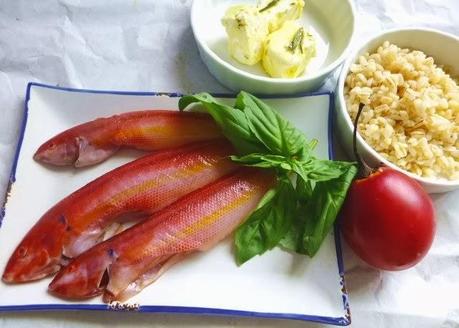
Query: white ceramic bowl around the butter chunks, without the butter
[331,22]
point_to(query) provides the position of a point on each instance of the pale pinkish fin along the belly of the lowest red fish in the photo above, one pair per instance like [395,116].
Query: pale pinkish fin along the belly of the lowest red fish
[143,280]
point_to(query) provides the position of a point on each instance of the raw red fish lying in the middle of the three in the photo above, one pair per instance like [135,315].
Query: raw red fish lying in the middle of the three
[136,189]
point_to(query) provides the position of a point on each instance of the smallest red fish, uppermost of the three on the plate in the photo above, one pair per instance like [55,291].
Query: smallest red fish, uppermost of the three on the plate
[93,142]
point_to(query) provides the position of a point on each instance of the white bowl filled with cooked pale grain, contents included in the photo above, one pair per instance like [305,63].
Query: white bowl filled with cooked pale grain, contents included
[410,121]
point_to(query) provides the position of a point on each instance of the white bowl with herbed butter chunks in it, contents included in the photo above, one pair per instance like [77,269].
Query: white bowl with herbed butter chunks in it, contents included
[272,47]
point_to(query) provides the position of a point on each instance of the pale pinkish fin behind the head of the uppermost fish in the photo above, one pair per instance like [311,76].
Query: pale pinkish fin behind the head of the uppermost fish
[89,154]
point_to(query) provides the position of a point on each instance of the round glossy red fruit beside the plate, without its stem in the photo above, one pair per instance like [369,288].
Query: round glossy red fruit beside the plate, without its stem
[388,220]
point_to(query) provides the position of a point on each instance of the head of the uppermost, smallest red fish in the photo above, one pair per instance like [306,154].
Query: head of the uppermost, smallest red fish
[60,150]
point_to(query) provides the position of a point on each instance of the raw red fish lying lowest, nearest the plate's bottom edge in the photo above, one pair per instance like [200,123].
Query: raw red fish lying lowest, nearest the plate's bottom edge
[123,265]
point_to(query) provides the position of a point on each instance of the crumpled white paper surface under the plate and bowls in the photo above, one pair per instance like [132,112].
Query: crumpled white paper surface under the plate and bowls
[148,45]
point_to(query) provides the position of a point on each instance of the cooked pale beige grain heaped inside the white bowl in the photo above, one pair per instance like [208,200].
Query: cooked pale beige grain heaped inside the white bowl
[411,113]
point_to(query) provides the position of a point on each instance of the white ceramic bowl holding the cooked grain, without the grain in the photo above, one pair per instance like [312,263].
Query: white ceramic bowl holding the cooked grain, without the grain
[443,47]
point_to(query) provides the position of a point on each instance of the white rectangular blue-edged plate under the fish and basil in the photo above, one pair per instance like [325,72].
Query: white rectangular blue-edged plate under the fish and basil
[276,285]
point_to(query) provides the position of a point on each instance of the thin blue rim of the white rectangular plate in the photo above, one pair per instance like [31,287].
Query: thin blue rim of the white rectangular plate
[339,321]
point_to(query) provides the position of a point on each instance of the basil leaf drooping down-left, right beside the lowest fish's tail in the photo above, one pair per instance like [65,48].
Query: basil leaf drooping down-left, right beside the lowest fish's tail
[268,224]
